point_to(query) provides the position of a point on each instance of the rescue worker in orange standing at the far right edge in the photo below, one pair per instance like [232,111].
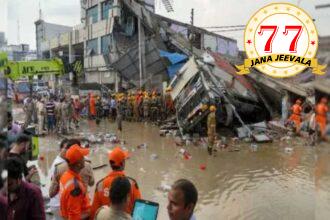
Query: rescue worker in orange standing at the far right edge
[321,111]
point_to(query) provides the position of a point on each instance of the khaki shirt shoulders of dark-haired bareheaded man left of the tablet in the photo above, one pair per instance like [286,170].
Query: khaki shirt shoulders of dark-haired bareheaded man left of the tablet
[108,213]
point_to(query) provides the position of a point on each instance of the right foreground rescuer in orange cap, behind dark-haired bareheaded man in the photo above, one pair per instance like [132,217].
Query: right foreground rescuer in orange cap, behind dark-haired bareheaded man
[117,159]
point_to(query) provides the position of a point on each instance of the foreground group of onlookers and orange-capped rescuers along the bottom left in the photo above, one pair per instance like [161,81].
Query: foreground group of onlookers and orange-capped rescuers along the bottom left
[71,178]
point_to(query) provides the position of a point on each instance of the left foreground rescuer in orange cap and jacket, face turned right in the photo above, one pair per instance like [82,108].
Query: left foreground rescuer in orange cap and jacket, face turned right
[74,199]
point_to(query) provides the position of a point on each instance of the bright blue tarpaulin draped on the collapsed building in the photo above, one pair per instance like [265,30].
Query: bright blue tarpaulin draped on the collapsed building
[177,60]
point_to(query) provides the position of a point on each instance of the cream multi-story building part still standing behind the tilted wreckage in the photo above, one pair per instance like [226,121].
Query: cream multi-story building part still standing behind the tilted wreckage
[121,40]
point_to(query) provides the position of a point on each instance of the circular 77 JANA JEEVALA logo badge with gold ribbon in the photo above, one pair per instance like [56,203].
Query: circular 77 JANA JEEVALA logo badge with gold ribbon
[281,40]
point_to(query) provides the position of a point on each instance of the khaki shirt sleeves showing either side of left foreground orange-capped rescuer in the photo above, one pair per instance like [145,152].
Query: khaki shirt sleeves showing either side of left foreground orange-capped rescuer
[86,174]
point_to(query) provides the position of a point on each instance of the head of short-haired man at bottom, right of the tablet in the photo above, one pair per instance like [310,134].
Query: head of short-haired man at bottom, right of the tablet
[182,200]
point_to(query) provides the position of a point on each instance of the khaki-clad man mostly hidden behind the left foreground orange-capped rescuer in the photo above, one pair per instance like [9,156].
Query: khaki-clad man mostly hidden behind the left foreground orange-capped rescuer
[86,173]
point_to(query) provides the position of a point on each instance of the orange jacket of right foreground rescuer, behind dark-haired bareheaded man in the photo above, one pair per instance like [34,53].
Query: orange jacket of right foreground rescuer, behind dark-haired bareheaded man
[102,191]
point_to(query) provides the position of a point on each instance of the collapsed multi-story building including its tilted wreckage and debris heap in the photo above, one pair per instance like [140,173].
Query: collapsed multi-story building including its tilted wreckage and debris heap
[124,44]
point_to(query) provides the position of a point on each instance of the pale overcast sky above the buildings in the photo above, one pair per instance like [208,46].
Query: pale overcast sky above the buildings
[17,17]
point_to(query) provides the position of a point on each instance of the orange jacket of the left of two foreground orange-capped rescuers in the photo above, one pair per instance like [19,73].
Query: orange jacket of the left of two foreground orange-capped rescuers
[73,207]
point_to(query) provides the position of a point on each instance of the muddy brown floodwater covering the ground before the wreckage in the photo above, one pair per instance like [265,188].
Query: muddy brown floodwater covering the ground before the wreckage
[267,183]
